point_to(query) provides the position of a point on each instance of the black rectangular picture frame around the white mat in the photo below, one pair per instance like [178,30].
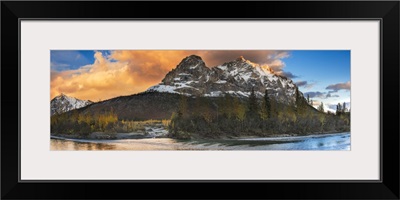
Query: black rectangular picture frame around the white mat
[386,11]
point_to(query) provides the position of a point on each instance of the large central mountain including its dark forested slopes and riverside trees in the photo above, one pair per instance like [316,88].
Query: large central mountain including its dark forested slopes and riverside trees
[233,99]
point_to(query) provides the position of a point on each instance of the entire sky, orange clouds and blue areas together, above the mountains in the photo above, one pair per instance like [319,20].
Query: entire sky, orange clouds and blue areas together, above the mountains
[323,74]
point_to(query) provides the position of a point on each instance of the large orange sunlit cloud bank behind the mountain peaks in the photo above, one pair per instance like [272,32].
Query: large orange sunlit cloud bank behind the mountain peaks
[126,72]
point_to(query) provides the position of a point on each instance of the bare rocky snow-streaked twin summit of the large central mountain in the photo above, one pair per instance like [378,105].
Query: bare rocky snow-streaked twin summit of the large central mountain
[193,78]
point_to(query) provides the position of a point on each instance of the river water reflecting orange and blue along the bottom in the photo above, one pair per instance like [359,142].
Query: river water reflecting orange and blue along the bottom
[337,141]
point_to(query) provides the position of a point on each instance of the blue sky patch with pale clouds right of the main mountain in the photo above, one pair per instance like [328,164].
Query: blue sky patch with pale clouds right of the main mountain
[321,69]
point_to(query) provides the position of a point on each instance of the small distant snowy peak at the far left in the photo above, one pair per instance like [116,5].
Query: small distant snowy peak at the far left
[63,103]
